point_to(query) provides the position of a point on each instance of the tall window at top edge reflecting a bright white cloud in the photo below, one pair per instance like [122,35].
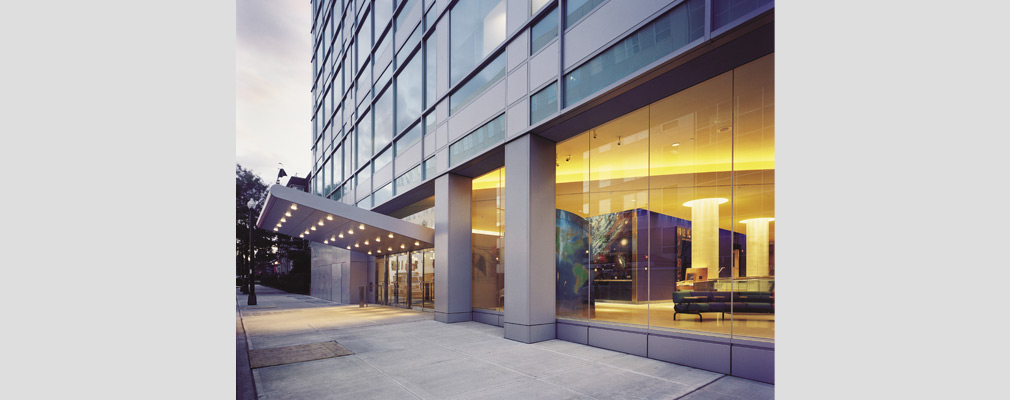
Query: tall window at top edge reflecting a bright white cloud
[476,28]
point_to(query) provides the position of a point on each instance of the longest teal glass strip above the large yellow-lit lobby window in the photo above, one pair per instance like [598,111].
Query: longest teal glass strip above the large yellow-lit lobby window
[671,32]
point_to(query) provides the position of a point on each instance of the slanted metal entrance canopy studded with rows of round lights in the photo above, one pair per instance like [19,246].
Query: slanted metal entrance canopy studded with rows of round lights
[323,221]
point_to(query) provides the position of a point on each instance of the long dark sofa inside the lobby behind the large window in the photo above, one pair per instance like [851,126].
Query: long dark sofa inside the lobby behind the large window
[688,303]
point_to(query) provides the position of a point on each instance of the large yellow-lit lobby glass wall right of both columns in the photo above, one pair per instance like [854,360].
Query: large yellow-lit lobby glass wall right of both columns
[670,210]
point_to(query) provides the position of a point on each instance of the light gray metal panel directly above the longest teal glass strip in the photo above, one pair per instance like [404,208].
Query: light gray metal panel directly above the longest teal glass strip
[607,24]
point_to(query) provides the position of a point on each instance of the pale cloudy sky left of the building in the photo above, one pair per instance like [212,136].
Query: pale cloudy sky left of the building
[273,68]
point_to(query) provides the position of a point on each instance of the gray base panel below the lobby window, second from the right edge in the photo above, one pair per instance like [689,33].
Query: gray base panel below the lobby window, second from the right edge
[697,354]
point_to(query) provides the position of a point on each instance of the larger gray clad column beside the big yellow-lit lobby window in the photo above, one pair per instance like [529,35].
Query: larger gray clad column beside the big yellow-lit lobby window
[530,240]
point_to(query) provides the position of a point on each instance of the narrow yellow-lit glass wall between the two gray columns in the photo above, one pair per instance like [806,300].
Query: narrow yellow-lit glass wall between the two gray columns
[488,228]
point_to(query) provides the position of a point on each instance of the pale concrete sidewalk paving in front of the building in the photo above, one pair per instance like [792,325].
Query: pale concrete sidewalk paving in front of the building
[403,354]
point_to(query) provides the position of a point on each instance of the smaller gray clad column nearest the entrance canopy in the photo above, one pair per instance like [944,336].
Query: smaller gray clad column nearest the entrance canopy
[454,272]
